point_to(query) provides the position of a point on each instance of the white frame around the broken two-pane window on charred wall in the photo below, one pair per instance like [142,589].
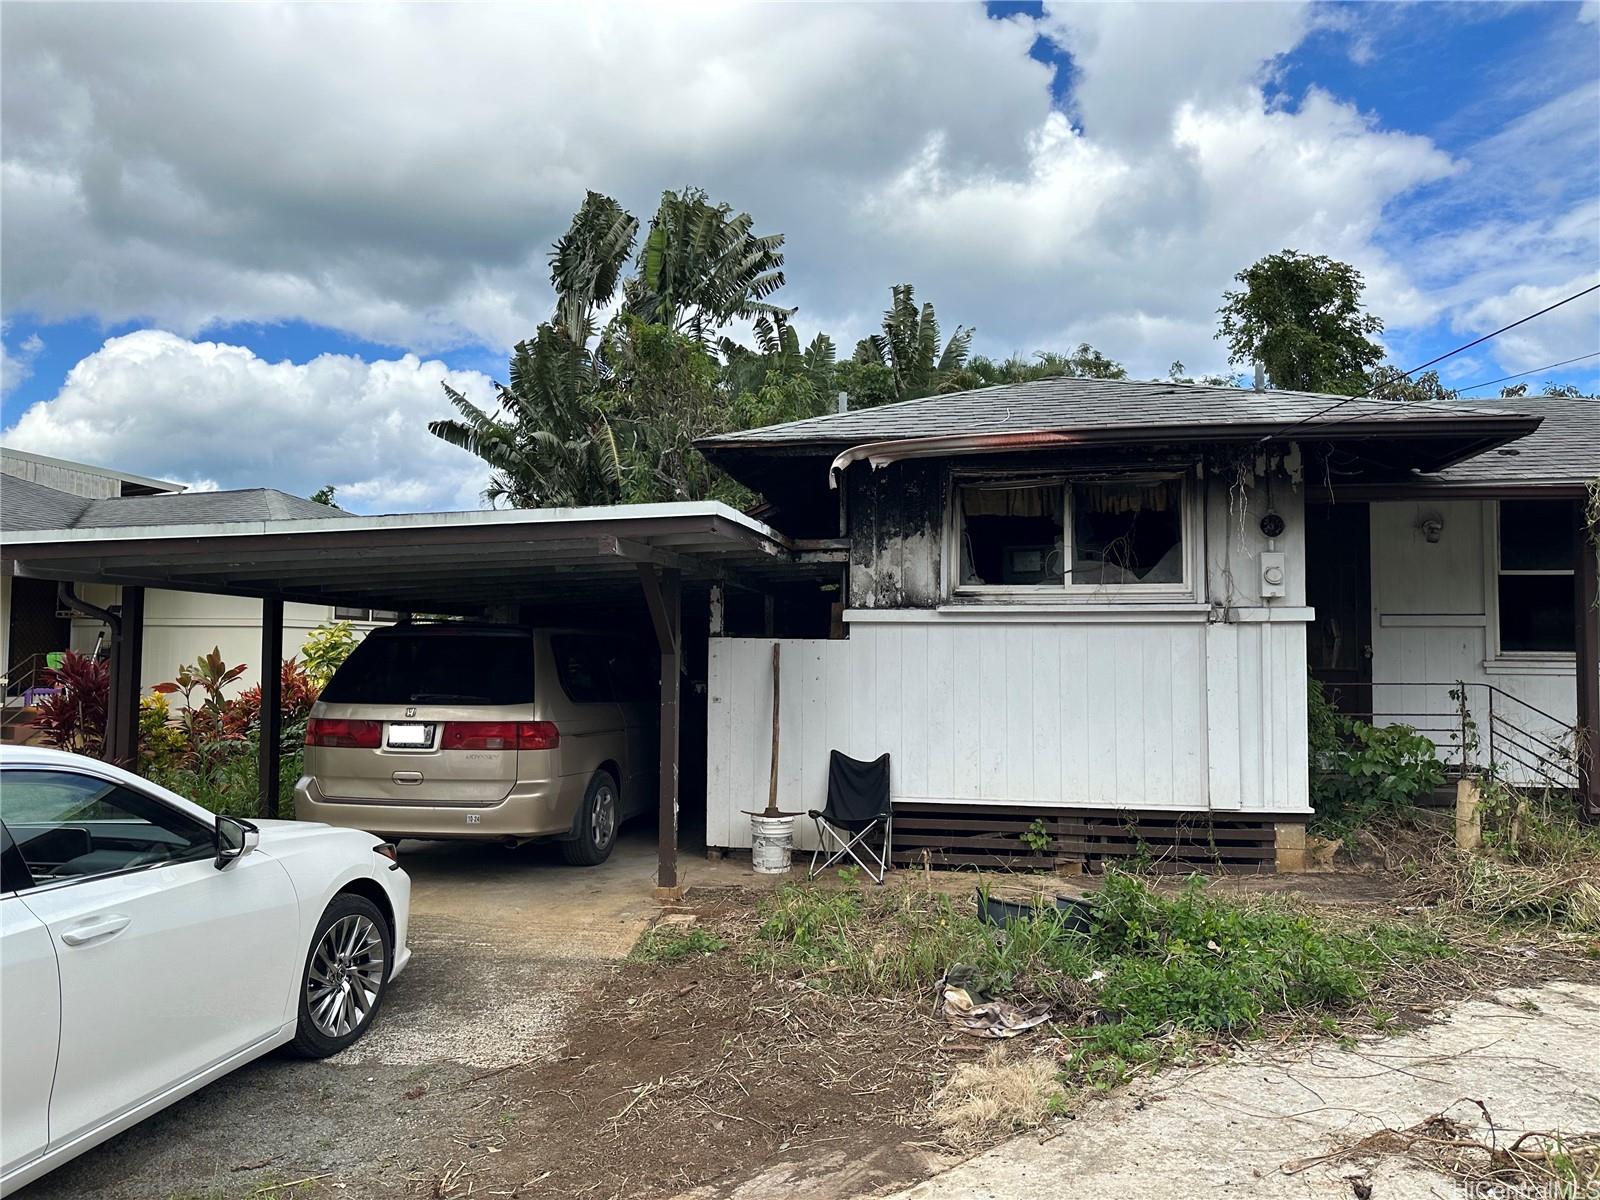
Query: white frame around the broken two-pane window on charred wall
[1068,593]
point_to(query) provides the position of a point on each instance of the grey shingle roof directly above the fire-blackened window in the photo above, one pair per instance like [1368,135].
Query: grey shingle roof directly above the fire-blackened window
[1103,406]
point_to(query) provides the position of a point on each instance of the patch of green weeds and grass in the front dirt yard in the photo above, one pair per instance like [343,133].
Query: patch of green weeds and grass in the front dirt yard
[1153,974]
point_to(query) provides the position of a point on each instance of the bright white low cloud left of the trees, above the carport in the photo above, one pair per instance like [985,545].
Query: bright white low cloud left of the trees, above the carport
[201,412]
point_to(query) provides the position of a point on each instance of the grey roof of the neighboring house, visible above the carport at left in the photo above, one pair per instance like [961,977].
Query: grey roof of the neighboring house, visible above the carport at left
[33,506]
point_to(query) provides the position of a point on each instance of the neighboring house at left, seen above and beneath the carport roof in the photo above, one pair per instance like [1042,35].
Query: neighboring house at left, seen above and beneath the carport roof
[49,494]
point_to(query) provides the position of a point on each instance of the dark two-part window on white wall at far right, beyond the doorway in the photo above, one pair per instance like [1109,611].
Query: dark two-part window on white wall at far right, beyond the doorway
[1535,586]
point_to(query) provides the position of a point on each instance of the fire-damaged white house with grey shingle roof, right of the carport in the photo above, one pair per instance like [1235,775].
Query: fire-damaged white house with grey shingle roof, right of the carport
[1086,610]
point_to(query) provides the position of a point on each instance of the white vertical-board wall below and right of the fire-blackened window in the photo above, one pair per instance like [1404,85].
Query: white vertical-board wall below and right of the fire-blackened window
[1103,703]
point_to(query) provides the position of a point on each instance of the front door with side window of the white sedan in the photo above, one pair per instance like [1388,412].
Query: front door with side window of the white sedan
[167,964]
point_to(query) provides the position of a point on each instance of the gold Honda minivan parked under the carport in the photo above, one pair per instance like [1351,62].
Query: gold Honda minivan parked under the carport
[508,734]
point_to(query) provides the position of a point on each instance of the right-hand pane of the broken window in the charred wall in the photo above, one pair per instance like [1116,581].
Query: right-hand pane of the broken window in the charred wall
[1127,534]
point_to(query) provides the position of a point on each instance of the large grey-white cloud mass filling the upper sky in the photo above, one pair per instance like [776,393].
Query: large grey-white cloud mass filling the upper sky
[399,172]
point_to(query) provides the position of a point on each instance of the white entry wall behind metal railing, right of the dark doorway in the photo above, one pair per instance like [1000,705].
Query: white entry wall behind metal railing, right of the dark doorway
[1434,617]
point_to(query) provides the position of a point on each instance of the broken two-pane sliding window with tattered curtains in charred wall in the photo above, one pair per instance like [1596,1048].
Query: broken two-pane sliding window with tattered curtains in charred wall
[1073,535]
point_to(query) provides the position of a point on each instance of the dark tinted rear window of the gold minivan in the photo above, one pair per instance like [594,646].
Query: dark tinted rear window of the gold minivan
[430,668]
